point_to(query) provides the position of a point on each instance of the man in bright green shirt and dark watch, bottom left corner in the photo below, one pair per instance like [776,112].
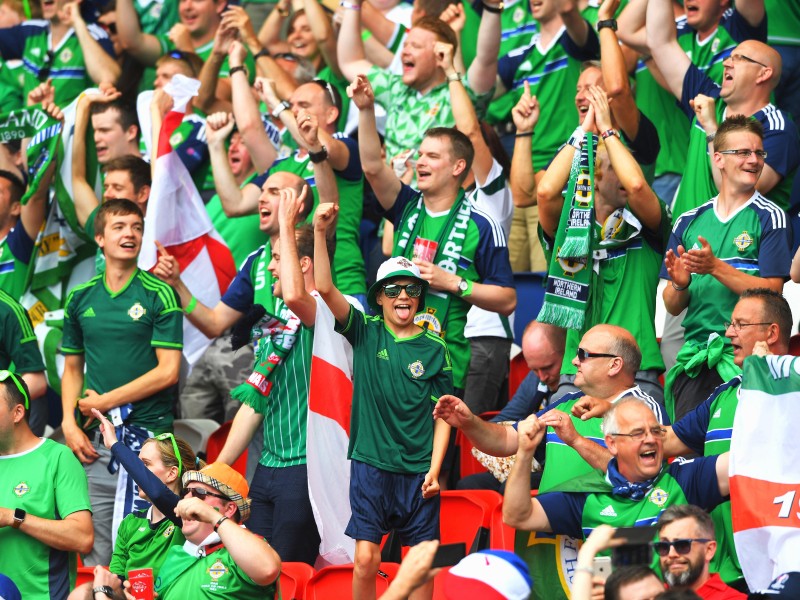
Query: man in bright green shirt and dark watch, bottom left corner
[44,503]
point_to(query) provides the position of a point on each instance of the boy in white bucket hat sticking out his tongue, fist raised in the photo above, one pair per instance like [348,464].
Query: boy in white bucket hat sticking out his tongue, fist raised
[399,372]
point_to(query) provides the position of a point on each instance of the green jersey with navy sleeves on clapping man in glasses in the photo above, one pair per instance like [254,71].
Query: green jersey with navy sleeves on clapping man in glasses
[754,240]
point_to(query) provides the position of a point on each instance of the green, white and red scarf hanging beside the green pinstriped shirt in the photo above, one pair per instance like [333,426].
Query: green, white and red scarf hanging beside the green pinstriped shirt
[276,335]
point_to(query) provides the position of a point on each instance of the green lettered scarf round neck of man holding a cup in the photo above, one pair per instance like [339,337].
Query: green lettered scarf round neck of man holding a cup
[448,254]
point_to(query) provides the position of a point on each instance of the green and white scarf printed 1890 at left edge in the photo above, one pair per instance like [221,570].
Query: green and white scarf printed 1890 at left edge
[44,132]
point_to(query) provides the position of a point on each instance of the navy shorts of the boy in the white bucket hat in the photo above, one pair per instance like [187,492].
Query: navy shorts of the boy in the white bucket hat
[381,501]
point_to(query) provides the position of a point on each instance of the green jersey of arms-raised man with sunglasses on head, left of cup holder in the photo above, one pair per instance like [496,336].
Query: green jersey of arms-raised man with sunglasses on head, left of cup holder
[348,265]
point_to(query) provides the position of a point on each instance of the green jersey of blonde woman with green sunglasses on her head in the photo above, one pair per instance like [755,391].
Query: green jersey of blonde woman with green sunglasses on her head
[142,545]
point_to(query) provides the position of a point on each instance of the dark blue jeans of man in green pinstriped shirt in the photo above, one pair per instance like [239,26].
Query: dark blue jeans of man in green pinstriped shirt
[281,512]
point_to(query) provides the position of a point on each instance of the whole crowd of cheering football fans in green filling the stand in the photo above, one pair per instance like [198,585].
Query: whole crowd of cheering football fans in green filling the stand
[389,165]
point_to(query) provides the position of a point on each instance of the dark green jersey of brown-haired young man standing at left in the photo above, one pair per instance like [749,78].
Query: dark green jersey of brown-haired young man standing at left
[133,322]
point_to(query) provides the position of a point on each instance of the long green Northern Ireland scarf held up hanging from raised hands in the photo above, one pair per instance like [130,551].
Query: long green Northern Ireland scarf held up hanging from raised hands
[570,275]
